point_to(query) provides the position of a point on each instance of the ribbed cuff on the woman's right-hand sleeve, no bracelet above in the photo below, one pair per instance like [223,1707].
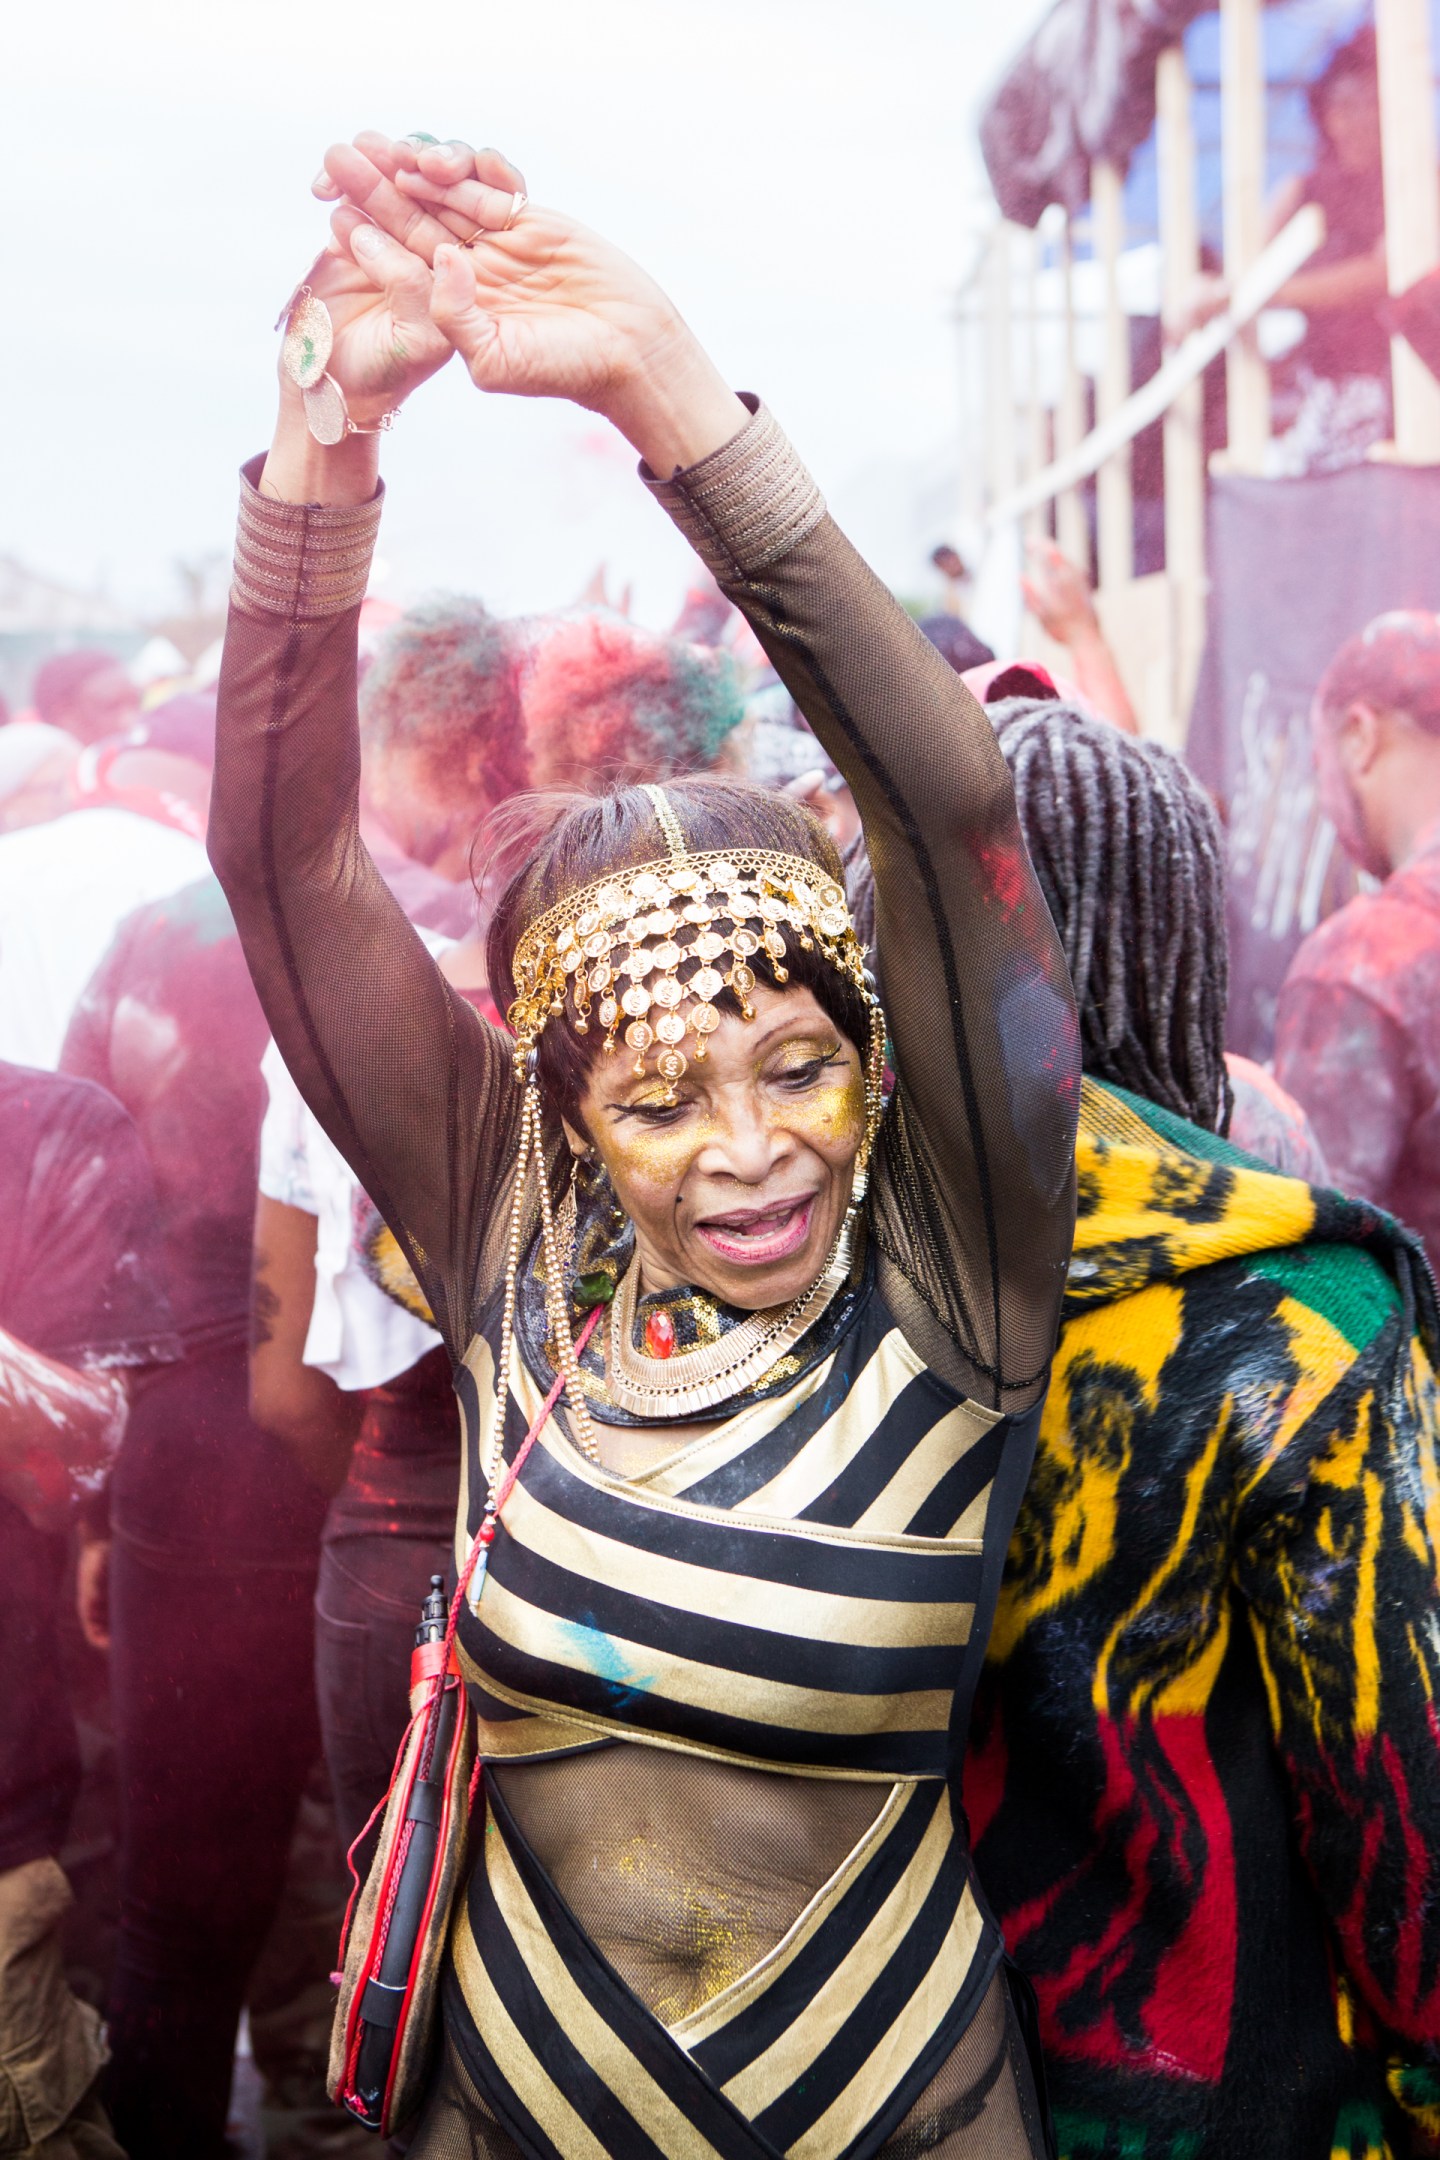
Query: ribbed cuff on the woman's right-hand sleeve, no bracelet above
[746,504]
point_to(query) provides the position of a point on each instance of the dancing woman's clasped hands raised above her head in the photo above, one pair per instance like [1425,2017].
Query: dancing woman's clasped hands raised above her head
[437,249]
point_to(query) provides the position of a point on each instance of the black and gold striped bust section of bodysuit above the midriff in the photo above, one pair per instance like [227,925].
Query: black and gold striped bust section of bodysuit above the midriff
[765,1597]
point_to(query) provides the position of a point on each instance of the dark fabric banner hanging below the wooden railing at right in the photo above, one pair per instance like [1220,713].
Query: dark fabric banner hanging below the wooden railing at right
[1296,569]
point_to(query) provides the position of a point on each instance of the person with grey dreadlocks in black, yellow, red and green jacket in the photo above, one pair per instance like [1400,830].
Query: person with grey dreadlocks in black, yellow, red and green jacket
[1221,1610]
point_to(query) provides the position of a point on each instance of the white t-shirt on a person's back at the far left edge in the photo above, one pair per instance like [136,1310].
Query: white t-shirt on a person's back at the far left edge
[66,889]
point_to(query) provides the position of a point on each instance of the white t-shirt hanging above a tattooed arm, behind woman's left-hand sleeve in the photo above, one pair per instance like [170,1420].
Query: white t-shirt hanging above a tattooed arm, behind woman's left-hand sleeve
[357,1334]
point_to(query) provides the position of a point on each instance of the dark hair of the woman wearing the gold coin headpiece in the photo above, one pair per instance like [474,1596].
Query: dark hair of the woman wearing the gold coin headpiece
[541,848]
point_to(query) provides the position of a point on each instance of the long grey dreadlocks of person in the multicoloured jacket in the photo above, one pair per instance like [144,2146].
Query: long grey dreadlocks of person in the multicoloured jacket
[1130,861]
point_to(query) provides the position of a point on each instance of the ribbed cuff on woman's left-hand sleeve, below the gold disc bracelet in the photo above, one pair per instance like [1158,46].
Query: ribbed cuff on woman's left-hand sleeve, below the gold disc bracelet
[301,561]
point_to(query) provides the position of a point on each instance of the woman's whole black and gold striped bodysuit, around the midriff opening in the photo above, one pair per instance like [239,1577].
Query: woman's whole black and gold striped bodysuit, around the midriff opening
[806,1591]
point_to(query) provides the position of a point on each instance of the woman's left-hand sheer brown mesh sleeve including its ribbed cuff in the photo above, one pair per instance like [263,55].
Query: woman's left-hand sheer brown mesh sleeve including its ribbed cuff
[409,1081]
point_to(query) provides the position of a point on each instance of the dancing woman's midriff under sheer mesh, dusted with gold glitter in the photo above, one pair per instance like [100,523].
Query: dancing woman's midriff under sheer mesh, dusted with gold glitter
[685,1874]
